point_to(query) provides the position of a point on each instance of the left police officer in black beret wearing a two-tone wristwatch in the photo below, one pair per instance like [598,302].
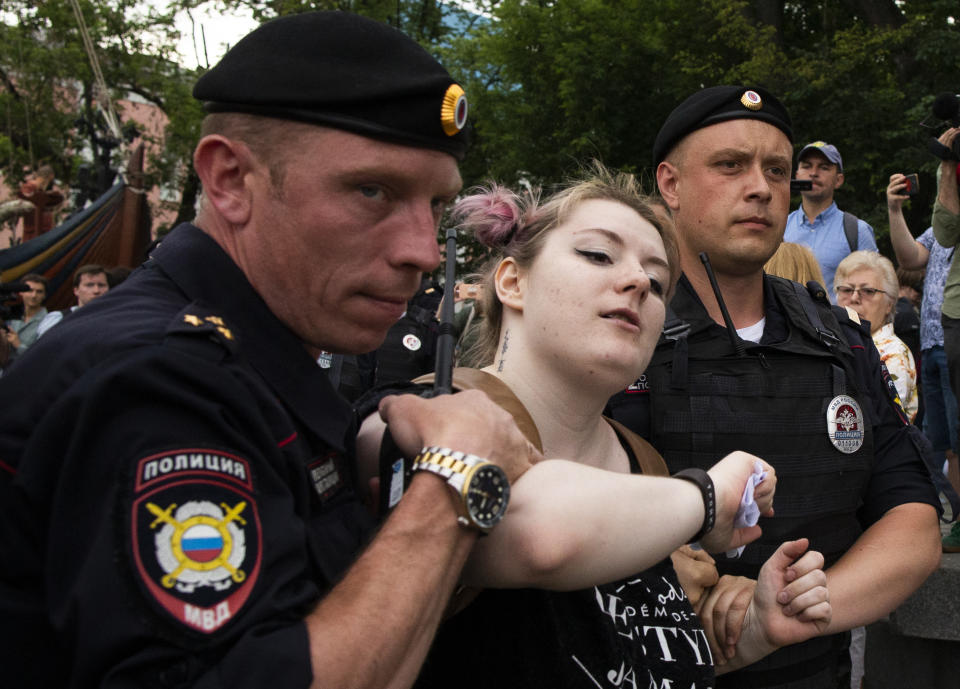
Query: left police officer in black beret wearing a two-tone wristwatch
[177,492]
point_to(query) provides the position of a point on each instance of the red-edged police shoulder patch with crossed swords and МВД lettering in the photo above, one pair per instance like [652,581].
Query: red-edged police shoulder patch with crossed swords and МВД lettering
[196,537]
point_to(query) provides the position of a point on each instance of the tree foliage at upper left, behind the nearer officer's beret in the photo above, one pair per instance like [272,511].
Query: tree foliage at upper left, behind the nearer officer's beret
[48,82]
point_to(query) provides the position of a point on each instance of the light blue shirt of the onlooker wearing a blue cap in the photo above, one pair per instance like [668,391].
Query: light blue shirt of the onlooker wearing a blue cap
[825,237]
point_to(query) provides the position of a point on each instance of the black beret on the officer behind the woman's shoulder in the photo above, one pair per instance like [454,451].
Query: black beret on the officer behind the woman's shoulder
[719,104]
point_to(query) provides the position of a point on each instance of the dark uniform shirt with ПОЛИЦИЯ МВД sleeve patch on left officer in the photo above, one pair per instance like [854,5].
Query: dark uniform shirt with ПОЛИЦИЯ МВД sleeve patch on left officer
[174,495]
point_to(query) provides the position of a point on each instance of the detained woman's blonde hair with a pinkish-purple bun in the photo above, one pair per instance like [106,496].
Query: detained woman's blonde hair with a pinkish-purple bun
[517,225]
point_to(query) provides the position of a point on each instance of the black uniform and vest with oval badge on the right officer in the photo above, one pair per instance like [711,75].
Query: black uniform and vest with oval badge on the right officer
[735,402]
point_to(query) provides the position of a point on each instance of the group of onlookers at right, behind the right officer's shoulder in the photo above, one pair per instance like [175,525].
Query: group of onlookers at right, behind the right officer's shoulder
[903,304]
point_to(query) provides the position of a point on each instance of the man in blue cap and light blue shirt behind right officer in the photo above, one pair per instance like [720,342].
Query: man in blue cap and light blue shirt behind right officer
[830,233]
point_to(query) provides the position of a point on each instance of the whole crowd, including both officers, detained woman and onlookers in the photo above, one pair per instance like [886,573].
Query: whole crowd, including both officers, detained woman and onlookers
[668,466]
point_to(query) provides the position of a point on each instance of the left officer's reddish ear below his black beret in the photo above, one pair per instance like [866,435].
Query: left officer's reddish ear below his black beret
[222,165]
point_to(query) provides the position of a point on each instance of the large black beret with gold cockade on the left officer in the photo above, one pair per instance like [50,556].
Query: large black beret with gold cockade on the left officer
[345,71]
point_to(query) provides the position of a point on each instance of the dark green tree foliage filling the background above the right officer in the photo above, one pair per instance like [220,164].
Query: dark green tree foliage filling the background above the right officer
[555,83]
